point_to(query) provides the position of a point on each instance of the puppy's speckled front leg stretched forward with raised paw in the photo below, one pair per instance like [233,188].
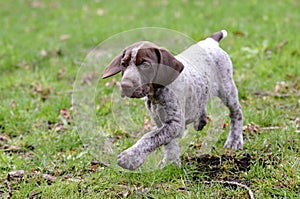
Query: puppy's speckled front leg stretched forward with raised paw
[170,113]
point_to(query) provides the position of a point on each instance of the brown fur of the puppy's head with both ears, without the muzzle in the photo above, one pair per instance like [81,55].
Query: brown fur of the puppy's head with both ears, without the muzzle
[165,66]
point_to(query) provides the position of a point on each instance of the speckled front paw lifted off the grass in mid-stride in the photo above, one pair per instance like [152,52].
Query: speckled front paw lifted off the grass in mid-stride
[131,159]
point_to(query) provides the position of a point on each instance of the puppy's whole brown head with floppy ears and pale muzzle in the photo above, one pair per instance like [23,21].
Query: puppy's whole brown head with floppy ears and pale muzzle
[144,66]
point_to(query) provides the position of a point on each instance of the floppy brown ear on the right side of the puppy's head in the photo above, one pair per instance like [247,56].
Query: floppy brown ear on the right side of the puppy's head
[169,67]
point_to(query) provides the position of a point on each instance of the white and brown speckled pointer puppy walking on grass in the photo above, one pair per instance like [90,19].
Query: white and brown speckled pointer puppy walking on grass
[176,90]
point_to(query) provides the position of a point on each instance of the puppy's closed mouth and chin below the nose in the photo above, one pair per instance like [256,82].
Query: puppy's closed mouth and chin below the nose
[138,92]
